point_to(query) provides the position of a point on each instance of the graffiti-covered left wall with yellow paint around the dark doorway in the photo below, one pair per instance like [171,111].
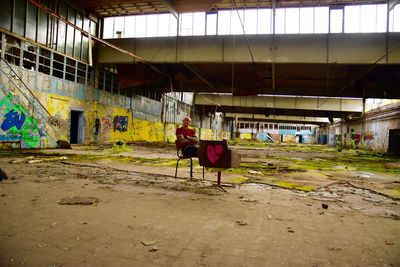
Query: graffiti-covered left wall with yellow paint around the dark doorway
[107,117]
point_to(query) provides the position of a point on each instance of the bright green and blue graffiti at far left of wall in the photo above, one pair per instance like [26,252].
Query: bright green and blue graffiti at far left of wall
[17,123]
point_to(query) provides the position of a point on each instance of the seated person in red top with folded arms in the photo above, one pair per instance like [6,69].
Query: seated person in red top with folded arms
[187,139]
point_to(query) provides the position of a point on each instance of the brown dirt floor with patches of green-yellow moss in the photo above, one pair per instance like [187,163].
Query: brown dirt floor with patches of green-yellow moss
[287,205]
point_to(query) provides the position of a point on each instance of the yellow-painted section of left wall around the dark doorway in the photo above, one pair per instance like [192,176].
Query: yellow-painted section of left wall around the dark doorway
[137,130]
